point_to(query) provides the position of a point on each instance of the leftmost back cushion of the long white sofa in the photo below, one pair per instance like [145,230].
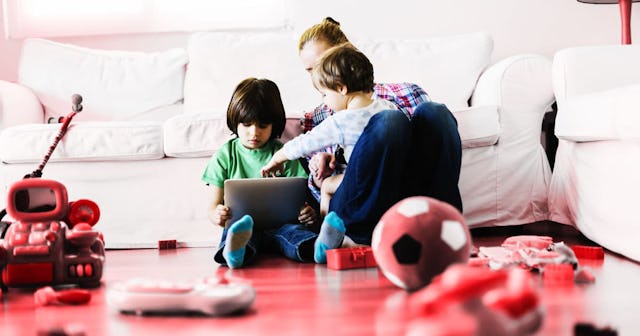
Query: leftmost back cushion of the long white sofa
[115,85]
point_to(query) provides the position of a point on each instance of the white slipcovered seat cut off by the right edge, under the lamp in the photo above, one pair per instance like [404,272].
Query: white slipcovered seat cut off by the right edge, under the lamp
[595,180]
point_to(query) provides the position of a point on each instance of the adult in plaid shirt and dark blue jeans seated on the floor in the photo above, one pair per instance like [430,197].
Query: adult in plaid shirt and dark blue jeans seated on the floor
[396,157]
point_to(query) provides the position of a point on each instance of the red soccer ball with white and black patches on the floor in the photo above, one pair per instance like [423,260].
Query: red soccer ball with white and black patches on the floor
[417,239]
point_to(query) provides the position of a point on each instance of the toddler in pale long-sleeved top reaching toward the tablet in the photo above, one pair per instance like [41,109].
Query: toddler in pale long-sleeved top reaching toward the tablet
[344,77]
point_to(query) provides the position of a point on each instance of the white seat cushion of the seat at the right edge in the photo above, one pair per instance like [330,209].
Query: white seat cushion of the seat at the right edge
[604,115]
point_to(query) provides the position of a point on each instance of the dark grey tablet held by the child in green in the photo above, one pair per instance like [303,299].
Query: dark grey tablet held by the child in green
[272,202]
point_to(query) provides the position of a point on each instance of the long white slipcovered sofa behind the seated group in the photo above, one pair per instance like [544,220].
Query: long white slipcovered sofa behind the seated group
[152,120]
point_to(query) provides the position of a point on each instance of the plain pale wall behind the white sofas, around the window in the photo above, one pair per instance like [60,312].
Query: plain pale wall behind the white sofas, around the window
[518,26]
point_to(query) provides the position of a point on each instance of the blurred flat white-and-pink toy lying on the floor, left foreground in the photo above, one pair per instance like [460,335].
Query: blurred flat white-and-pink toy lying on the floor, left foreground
[210,297]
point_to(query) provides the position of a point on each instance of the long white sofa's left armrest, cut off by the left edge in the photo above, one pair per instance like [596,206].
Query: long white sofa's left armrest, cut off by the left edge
[18,105]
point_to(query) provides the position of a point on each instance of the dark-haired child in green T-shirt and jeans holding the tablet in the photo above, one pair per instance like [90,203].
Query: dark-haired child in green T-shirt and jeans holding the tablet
[256,116]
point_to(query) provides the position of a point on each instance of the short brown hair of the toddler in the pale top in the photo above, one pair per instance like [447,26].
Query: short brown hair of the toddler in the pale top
[344,65]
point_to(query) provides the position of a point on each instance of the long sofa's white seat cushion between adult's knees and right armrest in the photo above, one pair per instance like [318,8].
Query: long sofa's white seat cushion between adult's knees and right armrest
[479,126]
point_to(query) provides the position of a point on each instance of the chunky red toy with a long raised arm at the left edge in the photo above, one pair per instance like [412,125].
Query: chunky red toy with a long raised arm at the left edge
[51,241]
